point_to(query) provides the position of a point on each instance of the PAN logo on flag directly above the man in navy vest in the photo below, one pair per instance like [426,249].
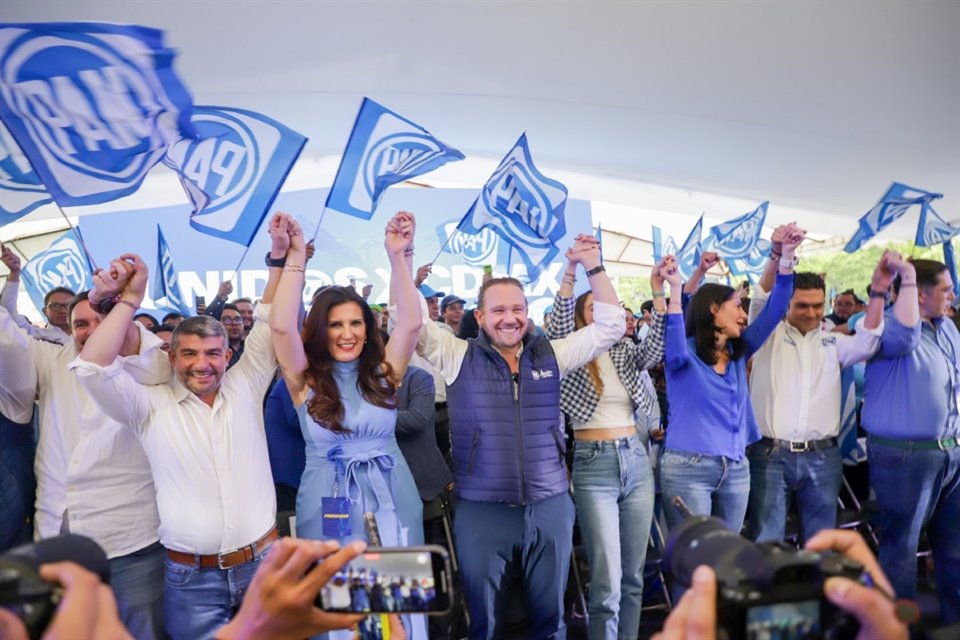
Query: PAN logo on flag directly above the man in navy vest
[524,207]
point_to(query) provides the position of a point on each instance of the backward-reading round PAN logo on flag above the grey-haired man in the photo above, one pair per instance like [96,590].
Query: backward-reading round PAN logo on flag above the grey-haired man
[225,162]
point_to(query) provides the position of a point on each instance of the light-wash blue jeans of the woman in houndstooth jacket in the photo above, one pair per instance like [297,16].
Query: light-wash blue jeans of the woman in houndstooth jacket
[613,491]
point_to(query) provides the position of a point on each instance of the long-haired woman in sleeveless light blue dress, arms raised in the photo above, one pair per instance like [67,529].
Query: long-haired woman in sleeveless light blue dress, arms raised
[343,382]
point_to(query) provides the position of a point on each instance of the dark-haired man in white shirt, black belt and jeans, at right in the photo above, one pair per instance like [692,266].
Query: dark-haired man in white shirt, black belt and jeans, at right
[795,391]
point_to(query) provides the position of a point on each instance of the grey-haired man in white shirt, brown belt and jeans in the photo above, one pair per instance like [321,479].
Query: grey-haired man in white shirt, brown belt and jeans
[204,437]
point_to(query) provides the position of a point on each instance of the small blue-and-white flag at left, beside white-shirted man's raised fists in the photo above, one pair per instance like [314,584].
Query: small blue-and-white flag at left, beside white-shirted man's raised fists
[64,264]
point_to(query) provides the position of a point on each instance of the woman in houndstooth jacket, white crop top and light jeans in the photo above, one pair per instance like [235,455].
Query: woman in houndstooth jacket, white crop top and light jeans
[612,477]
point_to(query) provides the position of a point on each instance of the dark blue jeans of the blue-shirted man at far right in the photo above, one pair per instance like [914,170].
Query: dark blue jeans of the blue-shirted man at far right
[916,489]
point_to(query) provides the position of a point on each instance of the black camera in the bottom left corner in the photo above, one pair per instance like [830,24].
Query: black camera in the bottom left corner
[30,597]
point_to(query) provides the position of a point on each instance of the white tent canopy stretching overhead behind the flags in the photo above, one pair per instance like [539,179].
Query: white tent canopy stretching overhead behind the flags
[647,109]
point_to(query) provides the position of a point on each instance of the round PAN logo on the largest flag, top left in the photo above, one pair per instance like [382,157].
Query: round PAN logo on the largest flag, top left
[85,106]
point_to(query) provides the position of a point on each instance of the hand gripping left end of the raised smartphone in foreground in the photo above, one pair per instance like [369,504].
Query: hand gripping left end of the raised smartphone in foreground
[279,604]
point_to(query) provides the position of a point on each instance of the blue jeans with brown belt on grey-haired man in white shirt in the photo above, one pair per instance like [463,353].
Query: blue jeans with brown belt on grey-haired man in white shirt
[198,601]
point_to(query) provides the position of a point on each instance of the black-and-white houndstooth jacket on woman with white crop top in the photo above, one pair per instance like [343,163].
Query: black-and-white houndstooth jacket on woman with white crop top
[578,396]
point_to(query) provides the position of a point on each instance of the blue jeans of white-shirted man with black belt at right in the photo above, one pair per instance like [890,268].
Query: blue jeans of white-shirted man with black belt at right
[778,477]
